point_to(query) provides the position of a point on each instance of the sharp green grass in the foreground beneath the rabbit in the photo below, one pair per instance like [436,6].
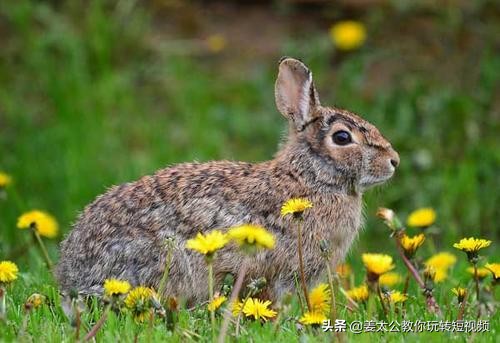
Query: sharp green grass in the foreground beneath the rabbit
[48,323]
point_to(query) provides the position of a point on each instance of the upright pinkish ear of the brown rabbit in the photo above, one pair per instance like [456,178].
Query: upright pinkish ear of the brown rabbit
[295,94]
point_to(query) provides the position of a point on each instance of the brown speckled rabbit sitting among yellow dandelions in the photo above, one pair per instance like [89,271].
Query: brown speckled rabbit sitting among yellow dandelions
[330,157]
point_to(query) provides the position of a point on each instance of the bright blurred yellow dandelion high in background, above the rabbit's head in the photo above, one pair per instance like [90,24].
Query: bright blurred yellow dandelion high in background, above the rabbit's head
[348,34]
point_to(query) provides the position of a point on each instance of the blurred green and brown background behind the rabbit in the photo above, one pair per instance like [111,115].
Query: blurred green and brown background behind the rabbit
[96,93]
